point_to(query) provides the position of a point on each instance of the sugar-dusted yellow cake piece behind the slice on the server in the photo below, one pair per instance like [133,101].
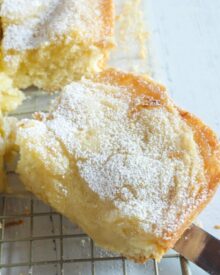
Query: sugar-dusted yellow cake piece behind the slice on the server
[50,43]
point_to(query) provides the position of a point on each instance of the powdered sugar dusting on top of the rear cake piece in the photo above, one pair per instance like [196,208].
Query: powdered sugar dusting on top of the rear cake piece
[35,23]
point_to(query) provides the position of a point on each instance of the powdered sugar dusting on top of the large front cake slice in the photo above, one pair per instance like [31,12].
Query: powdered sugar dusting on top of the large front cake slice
[129,159]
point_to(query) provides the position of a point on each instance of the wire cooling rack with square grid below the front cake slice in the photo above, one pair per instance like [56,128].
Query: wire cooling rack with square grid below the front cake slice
[36,240]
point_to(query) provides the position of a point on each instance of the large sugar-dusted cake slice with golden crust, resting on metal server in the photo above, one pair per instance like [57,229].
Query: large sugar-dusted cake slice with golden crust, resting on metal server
[116,156]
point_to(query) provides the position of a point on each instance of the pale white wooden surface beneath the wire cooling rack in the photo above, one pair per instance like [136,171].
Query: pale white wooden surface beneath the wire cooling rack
[183,53]
